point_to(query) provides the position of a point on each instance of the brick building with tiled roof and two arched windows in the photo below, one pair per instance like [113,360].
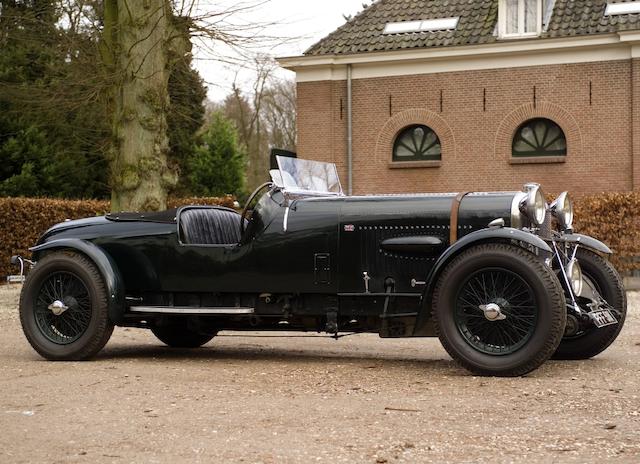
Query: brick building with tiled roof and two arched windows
[450,95]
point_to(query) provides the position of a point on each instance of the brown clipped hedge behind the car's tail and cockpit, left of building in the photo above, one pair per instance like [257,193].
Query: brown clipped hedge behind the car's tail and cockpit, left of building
[23,220]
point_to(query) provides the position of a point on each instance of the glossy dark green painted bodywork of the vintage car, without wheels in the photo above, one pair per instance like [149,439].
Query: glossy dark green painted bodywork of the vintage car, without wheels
[342,233]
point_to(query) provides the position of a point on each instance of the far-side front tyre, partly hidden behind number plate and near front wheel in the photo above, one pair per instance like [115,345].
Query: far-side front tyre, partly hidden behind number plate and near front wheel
[609,284]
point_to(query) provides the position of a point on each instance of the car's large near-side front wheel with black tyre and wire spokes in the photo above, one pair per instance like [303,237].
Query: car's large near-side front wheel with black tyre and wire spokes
[529,296]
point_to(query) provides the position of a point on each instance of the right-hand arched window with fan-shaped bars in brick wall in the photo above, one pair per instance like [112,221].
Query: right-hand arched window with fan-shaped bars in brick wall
[539,137]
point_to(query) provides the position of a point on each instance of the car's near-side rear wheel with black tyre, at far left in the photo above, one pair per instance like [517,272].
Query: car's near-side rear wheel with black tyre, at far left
[84,328]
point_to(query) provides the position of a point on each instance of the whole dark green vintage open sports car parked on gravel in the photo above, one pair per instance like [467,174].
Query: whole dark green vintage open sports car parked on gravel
[304,256]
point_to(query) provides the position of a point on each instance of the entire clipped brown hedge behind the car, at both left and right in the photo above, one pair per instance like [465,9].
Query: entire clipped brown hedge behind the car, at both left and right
[613,218]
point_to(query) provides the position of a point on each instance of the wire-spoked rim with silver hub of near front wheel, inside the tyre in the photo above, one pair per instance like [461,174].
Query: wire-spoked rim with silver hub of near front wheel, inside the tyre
[496,311]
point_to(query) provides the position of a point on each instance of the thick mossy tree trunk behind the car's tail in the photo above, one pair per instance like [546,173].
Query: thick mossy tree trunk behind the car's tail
[137,53]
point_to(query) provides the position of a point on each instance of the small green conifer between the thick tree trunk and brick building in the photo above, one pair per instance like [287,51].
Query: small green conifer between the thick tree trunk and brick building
[217,165]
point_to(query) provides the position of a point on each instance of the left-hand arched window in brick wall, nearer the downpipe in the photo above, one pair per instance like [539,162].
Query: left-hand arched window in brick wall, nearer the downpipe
[417,143]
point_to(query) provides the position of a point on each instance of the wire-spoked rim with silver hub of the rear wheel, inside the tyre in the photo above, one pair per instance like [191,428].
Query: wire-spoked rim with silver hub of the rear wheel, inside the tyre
[63,308]
